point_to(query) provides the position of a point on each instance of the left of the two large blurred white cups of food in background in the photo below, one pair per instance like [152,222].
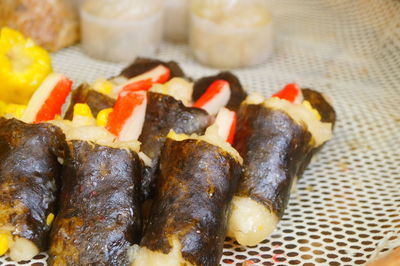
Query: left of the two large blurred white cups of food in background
[121,30]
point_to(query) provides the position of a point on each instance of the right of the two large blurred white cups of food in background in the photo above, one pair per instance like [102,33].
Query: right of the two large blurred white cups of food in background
[230,33]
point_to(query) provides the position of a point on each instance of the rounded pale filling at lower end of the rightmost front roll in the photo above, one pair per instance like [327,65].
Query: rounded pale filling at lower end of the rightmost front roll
[250,222]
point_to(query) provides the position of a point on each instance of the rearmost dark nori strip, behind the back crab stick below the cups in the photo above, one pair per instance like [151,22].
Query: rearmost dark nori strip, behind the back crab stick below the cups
[142,65]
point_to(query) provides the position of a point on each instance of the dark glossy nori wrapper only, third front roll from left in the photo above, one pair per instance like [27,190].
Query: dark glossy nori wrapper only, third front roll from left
[193,195]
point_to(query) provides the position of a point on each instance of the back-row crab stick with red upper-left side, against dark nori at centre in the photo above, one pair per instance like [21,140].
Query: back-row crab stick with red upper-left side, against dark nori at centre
[216,96]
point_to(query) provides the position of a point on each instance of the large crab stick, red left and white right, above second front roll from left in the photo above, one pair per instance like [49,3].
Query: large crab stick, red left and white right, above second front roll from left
[127,118]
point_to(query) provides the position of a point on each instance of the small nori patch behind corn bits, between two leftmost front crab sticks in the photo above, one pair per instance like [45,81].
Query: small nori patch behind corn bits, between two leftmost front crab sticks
[84,94]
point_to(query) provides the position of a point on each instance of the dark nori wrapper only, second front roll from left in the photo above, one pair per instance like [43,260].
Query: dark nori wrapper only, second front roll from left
[99,216]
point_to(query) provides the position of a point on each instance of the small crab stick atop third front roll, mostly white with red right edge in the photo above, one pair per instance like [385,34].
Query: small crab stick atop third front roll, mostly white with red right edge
[226,122]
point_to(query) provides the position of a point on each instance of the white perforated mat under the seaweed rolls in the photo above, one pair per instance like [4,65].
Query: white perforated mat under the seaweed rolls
[347,206]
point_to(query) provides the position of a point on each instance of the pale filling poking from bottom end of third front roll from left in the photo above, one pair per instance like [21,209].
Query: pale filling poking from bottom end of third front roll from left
[147,257]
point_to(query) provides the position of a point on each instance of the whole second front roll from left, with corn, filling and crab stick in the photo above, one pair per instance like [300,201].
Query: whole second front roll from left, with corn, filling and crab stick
[99,215]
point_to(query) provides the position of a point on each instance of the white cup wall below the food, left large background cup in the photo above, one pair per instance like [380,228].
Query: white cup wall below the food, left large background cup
[120,40]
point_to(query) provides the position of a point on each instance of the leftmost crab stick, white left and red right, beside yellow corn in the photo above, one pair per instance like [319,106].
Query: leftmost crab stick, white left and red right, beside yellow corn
[48,99]
